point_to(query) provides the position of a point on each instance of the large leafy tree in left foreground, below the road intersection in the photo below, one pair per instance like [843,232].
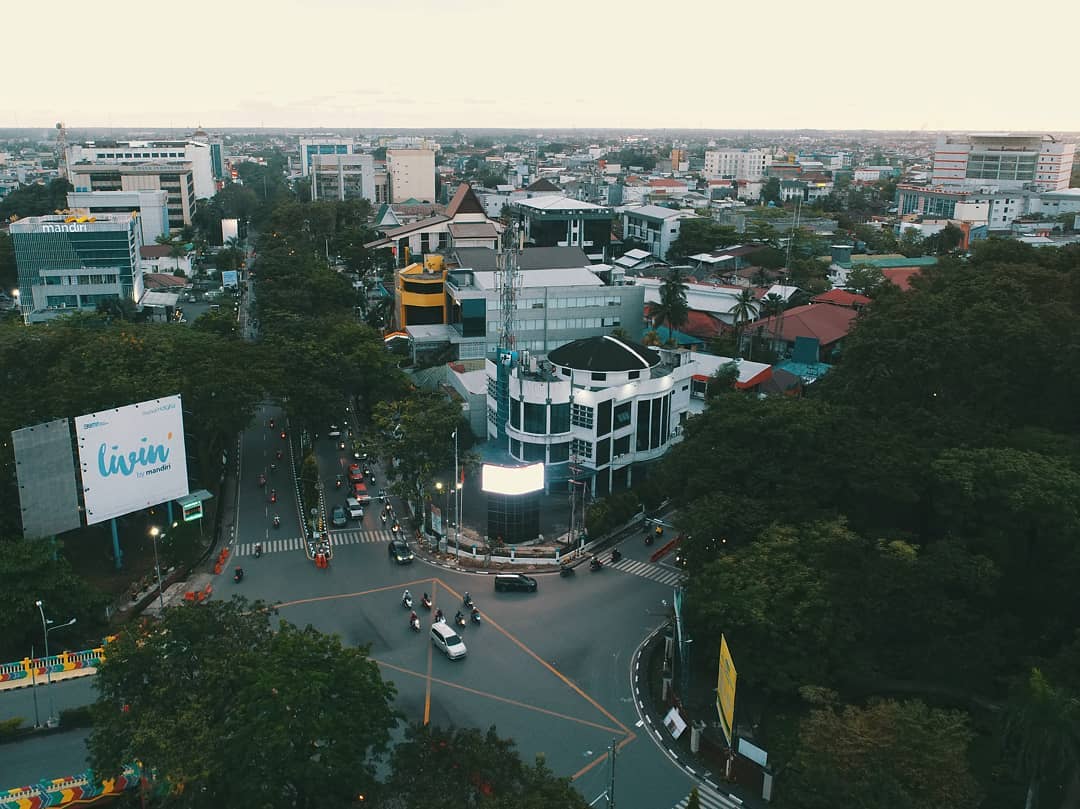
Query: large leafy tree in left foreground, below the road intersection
[211,692]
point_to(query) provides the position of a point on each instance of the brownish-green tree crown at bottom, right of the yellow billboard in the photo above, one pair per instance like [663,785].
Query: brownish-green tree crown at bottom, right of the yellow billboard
[887,756]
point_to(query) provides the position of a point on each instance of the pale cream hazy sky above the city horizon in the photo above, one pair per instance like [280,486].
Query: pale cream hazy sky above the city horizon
[703,64]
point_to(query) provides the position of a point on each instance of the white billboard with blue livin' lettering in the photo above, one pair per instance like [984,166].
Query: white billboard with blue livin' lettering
[132,457]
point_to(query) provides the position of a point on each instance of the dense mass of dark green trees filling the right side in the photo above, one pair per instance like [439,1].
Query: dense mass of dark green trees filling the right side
[910,530]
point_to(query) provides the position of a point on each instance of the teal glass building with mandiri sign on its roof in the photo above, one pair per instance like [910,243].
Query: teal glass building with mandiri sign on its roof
[71,263]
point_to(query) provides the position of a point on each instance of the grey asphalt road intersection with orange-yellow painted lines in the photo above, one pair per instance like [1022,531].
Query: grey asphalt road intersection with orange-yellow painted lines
[551,670]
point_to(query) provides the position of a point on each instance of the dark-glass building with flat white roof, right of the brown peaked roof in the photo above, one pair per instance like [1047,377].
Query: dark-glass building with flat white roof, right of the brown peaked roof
[561,222]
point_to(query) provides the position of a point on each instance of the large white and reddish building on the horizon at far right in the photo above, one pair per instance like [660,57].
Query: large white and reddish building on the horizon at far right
[1003,160]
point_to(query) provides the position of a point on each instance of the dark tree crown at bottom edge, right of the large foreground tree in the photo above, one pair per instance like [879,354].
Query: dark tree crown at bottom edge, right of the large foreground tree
[466,768]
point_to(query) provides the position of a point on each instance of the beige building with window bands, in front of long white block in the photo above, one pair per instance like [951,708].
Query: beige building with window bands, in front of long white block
[177,180]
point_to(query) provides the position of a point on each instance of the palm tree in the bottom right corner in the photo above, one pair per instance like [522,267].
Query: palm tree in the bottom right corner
[1043,725]
